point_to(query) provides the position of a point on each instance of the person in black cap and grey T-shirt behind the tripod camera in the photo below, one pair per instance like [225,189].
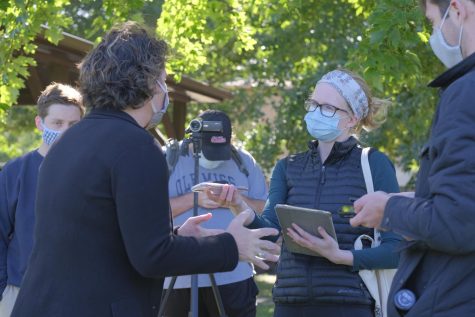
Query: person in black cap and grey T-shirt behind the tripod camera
[218,163]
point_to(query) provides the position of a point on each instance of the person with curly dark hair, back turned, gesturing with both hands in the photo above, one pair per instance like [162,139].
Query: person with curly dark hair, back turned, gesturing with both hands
[104,239]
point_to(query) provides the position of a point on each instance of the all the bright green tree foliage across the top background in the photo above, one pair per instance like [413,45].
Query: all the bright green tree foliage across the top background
[275,49]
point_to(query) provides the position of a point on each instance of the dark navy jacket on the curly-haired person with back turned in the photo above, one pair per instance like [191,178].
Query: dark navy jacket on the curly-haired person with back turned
[103,235]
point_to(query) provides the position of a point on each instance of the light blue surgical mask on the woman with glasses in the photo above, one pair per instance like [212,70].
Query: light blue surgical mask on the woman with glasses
[323,128]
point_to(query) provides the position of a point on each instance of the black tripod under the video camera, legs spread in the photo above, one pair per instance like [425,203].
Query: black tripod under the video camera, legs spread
[195,139]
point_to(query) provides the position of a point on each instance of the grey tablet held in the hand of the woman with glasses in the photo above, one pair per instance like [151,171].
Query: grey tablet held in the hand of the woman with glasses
[307,219]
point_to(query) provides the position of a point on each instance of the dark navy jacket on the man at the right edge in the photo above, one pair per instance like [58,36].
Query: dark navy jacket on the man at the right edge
[439,264]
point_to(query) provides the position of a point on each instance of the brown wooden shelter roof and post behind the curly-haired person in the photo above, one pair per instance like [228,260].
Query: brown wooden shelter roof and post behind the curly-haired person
[58,63]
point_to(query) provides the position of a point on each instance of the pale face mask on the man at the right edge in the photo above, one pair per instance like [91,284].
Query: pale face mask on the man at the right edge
[447,54]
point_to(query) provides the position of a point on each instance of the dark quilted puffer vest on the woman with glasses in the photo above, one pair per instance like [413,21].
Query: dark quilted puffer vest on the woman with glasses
[305,279]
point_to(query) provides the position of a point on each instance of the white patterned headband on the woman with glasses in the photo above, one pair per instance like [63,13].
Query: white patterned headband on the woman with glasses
[350,90]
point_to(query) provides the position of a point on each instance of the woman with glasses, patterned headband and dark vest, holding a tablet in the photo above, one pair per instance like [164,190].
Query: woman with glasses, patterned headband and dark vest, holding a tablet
[327,176]
